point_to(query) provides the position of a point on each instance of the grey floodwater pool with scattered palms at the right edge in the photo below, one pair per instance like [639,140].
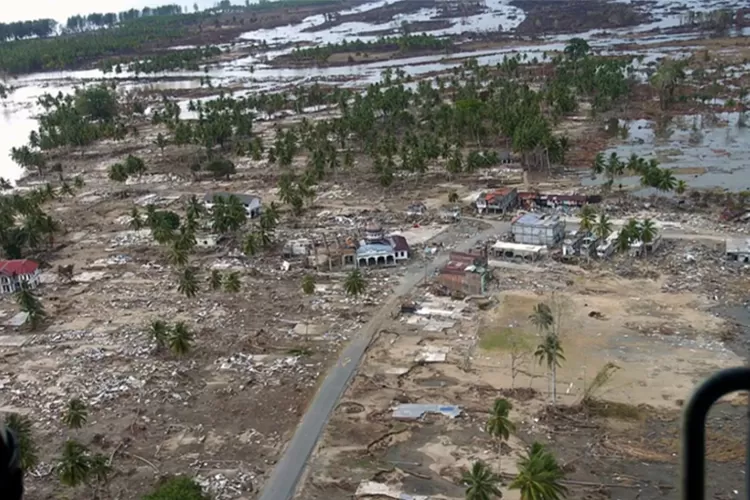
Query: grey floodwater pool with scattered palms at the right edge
[707,150]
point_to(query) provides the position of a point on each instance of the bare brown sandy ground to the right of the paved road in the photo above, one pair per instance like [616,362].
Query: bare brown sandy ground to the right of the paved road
[662,344]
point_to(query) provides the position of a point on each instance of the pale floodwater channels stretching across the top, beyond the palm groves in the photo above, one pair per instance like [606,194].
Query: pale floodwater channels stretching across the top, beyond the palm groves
[253,75]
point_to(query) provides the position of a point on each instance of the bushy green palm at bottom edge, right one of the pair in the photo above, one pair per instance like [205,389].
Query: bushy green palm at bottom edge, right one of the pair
[539,476]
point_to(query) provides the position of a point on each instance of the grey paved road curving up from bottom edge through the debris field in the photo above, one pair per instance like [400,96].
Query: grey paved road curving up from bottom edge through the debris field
[288,471]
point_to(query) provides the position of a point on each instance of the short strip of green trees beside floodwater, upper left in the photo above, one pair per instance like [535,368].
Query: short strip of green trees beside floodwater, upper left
[187,59]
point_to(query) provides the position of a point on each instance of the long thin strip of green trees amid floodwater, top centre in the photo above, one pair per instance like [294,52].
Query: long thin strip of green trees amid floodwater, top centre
[406,43]
